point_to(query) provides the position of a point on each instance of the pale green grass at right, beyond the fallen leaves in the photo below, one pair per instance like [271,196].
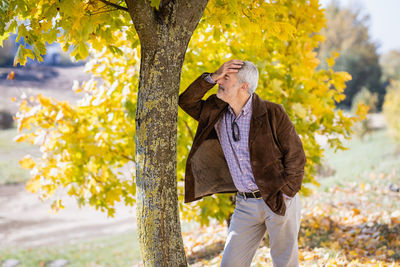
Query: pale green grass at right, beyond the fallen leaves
[371,165]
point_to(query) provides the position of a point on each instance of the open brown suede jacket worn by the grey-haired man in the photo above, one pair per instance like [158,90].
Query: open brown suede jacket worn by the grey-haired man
[276,152]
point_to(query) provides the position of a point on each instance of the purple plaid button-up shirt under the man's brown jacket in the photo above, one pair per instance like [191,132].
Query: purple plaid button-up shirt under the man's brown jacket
[237,153]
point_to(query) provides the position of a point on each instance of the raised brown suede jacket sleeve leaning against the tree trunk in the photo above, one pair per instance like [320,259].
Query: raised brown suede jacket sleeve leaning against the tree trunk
[191,99]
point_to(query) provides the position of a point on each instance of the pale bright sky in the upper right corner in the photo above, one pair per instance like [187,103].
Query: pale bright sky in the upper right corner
[384,20]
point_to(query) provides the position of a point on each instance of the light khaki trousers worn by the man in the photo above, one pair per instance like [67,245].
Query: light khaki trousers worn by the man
[249,221]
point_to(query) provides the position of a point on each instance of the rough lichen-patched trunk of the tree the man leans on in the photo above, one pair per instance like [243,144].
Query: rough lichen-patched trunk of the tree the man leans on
[164,35]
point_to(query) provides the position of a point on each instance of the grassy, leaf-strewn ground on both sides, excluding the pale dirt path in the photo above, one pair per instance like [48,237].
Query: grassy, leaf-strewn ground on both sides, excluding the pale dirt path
[352,219]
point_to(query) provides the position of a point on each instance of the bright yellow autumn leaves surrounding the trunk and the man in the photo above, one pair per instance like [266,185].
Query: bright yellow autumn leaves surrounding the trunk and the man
[82,145]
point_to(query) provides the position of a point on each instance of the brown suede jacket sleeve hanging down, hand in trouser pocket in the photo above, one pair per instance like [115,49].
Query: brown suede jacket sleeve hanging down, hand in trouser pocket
[294,158]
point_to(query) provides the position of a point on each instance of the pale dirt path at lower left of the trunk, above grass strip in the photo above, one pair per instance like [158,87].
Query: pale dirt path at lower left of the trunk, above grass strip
[25,221]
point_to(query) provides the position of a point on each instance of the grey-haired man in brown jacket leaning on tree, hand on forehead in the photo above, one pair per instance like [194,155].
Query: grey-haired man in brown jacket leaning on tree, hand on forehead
[249,146]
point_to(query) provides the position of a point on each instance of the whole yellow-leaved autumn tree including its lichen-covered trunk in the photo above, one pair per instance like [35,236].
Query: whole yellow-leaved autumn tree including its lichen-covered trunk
[84,145]
